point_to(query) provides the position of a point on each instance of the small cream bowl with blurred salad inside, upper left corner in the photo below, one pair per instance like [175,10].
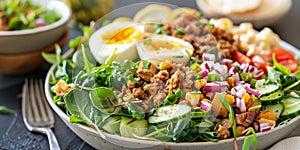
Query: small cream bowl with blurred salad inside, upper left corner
[27,27]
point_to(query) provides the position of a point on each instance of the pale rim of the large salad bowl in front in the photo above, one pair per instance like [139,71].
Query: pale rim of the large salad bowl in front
[295,121]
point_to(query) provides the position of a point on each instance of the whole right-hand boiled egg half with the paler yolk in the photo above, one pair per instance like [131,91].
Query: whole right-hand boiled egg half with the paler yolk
[159,48]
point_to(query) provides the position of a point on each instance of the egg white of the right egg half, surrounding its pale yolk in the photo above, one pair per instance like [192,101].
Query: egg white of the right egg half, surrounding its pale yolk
[177,55]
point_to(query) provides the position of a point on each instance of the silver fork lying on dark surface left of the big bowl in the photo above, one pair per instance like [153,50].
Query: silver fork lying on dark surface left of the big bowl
[37,115]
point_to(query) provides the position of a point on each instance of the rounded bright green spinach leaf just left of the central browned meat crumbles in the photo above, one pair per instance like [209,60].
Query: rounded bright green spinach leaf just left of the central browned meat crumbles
[104,100]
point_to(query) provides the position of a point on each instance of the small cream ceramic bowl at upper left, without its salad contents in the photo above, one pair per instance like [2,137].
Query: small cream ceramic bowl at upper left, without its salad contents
[24,41]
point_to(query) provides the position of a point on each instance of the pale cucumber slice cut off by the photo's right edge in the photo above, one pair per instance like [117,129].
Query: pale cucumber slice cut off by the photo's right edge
[291,107]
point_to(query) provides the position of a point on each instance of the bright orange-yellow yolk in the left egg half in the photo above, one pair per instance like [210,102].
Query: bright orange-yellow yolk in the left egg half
[123,36]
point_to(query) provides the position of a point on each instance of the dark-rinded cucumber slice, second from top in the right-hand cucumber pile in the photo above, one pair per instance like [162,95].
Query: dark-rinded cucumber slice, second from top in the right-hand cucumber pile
[272,98]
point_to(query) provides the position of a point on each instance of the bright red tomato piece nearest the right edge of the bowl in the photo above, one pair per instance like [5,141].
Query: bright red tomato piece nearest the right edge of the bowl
[285,58]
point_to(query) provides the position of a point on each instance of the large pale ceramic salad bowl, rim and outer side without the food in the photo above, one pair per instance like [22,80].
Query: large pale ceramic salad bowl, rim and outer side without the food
[114,142]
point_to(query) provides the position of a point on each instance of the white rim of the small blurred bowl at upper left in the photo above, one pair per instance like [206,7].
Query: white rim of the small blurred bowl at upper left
[56,5]
